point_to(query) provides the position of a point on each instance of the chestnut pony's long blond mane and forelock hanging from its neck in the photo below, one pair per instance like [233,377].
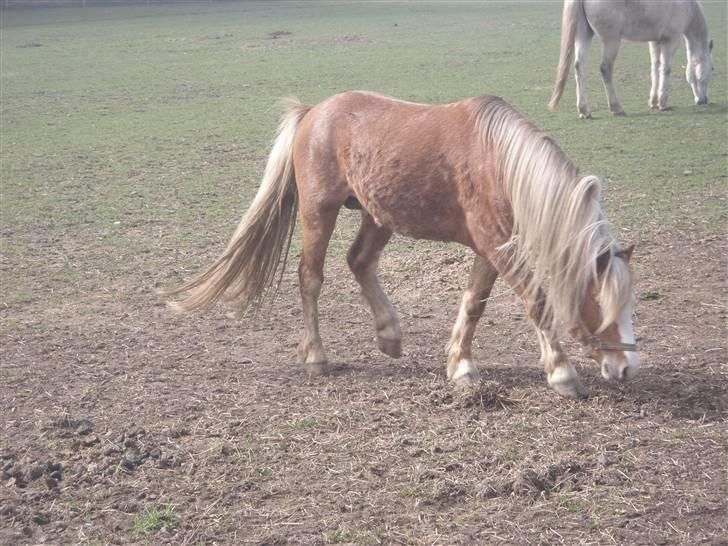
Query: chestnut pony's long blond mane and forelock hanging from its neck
[559,229]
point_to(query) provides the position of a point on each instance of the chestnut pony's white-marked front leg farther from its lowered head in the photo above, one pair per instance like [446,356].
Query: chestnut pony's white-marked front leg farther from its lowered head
[460,367]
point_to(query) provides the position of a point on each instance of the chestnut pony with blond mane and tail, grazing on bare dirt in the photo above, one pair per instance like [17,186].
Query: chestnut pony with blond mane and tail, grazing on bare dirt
[475,172]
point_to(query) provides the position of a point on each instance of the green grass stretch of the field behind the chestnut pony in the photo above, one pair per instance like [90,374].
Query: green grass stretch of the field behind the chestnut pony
[139,111]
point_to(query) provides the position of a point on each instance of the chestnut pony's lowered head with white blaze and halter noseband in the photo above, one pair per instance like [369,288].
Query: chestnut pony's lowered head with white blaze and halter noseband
[605,327]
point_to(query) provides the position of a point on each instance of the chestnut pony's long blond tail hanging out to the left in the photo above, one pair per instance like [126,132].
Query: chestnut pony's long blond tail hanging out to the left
[248,267]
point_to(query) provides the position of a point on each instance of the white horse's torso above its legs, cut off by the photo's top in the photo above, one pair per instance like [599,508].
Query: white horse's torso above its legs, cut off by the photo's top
[638,20]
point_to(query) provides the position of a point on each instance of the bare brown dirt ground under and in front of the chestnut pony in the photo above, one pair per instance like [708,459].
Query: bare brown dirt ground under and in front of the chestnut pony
[125,423]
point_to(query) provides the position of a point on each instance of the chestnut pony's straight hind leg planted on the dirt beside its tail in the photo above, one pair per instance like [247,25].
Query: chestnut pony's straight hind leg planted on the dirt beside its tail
[318,225]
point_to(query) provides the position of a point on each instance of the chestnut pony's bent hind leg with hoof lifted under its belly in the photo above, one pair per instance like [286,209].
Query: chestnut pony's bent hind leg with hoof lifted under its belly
[363,259]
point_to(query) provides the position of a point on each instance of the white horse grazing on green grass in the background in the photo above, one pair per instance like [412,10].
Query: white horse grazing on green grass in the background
[659,23]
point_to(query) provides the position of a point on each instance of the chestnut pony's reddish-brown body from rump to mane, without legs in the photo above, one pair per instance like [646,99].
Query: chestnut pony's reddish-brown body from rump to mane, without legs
[407,164]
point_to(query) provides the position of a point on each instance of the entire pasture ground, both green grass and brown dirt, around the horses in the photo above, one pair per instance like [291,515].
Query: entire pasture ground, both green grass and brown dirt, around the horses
[132,139]
